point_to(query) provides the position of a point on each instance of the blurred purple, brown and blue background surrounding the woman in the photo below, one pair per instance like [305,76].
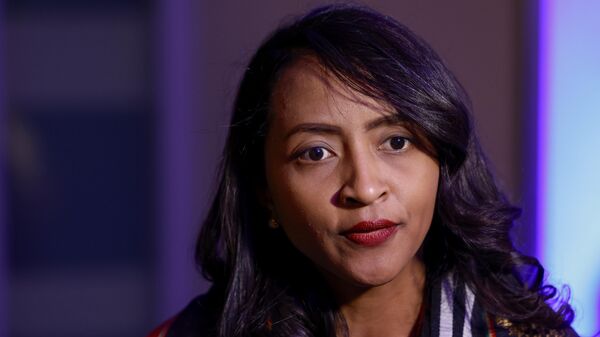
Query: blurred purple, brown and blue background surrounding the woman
[113,114]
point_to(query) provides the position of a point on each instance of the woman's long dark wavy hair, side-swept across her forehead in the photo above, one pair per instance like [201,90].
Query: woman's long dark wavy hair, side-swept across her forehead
[262,285]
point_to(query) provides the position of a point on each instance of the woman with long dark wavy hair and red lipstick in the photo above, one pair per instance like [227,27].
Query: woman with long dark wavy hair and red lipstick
[354,199]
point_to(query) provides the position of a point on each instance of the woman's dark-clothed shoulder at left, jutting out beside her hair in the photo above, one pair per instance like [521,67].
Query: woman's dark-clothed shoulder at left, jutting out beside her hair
[198,318]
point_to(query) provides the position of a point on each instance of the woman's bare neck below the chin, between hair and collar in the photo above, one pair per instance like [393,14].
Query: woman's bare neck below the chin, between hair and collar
[387,310]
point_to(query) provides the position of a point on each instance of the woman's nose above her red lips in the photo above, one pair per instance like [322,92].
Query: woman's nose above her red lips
[364,183]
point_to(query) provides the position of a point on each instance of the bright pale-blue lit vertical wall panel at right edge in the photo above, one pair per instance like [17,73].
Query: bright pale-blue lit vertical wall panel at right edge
[569,153]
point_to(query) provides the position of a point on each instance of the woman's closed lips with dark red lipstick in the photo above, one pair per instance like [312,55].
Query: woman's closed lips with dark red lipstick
[371,233]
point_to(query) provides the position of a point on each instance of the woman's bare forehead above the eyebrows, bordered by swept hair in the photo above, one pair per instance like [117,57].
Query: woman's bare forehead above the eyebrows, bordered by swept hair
[306,90]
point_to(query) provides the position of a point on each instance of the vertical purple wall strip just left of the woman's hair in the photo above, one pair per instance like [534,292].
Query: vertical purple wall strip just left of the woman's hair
[179,197]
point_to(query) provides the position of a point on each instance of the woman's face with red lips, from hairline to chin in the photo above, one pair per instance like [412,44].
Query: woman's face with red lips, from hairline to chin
[348,186]
